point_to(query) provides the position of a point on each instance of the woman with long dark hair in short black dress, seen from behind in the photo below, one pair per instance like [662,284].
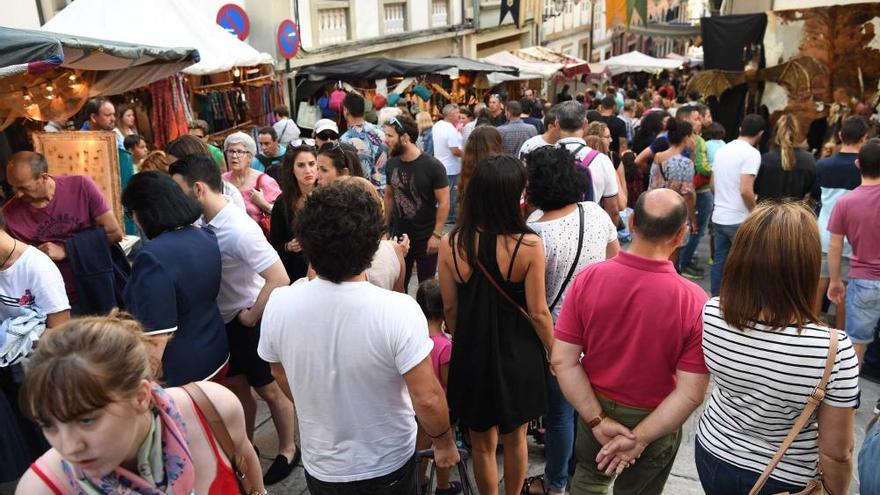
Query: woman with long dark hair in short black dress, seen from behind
[497,375]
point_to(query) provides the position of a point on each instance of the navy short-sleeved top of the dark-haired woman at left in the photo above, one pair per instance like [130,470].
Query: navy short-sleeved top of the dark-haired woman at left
[173,287]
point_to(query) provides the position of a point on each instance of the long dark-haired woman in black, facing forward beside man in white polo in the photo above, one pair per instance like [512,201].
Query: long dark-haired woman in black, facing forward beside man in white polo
[298,175]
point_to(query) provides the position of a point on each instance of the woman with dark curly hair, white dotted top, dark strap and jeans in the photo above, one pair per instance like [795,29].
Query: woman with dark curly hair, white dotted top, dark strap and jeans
[575,234]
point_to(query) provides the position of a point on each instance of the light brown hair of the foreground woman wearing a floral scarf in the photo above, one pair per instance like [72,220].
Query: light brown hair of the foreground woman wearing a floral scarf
[84,365]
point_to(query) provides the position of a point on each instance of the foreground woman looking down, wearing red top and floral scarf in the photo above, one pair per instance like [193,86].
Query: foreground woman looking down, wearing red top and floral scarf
[91,387]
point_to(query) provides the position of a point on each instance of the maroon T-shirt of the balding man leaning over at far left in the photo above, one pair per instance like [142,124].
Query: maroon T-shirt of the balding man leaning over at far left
[74,207]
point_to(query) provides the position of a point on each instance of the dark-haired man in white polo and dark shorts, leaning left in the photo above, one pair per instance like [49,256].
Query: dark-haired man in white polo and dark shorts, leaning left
[251,270]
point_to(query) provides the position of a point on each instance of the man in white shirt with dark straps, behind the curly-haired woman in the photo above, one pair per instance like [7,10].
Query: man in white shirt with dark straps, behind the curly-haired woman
[570,115]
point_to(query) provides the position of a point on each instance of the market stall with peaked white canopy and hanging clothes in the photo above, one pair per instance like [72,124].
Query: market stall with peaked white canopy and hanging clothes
[231,86]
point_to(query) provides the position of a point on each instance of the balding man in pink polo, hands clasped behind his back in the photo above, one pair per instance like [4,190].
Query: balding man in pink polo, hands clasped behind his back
[638,325]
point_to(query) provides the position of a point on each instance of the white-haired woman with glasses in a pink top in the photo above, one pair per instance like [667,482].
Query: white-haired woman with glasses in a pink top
[258,189]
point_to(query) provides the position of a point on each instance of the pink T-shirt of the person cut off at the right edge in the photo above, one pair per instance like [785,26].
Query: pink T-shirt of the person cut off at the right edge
[855,216]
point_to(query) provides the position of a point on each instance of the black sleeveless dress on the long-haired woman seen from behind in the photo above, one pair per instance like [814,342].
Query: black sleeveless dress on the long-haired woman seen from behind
[497,375]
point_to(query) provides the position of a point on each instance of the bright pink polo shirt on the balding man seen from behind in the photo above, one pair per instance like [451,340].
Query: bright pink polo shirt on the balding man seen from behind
[638,322]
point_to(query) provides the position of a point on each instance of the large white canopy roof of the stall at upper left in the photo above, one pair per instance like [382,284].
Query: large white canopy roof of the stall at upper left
[164,23]
